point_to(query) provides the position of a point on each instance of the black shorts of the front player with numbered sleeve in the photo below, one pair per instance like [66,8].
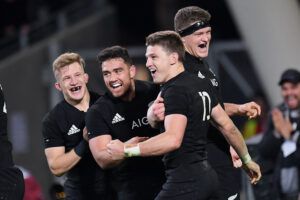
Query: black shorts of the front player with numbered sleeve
[201,184]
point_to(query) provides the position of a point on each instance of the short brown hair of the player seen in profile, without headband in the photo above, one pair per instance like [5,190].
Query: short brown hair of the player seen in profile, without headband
[169,41]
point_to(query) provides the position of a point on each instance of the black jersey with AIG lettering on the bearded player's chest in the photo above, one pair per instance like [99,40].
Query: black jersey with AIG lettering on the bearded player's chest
[124,120]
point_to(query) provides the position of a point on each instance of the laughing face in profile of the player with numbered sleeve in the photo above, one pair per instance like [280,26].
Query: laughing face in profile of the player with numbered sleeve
[158,63]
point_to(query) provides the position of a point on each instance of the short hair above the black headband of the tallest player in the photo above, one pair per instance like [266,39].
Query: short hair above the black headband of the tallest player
[189,15]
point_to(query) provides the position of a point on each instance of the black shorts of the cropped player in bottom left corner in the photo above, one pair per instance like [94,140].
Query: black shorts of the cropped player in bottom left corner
[11,184]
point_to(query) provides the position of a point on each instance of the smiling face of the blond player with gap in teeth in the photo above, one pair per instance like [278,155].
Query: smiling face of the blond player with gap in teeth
[71,81]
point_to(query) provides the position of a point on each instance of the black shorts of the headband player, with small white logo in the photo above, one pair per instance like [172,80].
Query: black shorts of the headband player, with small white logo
[229,182]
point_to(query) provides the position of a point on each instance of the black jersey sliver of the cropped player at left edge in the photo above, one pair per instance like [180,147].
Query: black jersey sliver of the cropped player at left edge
[5,145]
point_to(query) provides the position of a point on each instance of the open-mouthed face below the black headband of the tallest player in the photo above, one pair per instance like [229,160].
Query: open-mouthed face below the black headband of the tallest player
[197,43]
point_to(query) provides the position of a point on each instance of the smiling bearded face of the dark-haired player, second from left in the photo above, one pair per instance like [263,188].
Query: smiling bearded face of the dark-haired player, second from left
[118,78]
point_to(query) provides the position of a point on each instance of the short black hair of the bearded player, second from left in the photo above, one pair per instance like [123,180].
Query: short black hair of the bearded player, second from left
[114,52]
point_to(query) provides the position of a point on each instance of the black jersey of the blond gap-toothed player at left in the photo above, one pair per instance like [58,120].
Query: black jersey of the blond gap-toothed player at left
[63,126]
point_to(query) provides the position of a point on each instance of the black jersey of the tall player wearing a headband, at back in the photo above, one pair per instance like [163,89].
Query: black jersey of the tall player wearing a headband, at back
[218,147]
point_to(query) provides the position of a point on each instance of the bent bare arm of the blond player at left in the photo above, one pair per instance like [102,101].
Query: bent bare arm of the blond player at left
[60,162]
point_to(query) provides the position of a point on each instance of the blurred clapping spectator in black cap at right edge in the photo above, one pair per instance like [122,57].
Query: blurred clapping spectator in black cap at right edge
[280,146]
